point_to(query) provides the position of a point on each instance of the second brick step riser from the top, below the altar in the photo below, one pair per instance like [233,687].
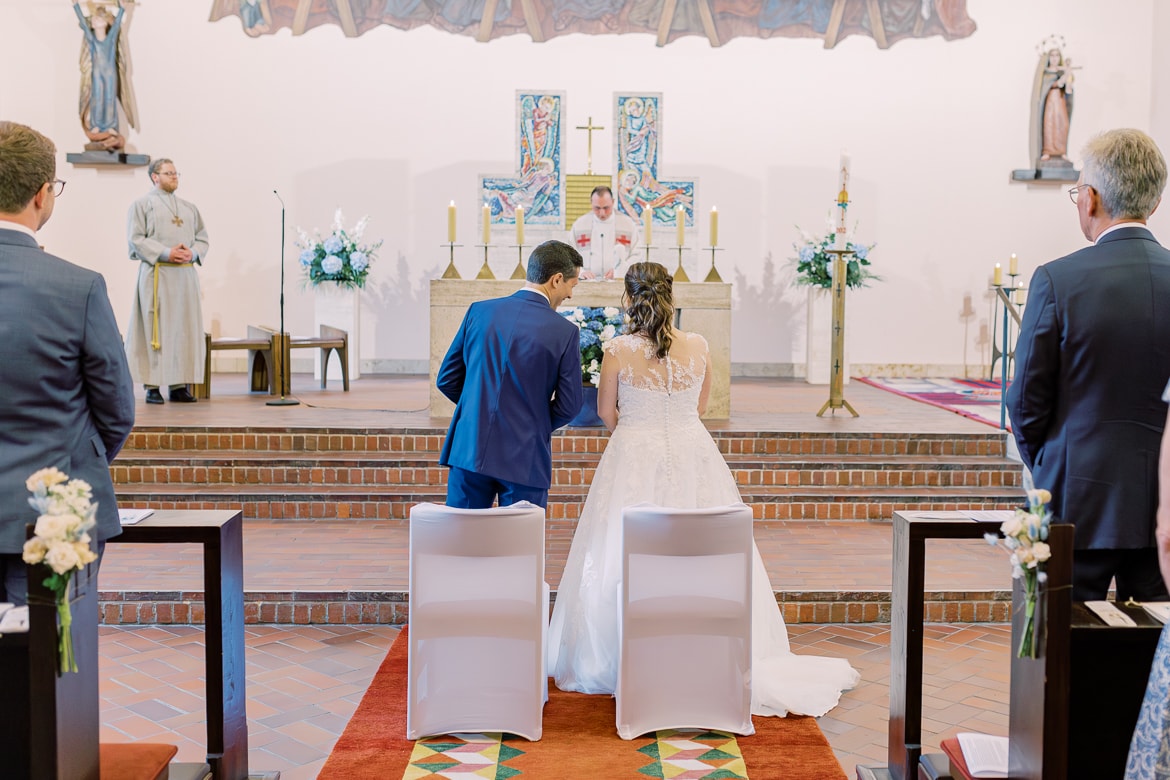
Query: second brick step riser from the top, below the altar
[224,467]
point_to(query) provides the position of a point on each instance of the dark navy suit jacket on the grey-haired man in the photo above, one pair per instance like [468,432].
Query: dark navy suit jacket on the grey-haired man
[1092,361]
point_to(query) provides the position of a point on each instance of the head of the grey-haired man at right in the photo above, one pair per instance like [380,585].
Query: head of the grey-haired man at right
[1127,170]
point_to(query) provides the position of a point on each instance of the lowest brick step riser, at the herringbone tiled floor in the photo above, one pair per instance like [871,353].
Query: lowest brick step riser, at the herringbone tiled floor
[393,608]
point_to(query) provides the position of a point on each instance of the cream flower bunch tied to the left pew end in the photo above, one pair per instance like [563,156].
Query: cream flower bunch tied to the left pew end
[61,543]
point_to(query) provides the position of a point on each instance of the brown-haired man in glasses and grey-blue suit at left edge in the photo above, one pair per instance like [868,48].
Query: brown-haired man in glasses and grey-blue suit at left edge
[66,398]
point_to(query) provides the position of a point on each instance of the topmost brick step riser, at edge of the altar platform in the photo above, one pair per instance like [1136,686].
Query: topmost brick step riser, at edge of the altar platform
[414,441]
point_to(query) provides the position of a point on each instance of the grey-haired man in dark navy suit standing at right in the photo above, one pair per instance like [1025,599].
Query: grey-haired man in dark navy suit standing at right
[1092,360]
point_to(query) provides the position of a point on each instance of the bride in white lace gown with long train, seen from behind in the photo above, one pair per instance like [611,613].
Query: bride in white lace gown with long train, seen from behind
[655,386]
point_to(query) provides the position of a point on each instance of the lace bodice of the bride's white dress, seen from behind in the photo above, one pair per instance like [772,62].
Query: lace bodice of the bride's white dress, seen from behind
[651,390]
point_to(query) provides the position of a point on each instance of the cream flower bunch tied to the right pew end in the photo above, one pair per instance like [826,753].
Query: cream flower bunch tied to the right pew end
[1026,536]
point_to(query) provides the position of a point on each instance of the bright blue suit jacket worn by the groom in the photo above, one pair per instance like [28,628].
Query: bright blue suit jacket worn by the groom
[514,374]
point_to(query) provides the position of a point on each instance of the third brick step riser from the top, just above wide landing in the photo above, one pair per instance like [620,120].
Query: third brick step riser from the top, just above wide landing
[384,502]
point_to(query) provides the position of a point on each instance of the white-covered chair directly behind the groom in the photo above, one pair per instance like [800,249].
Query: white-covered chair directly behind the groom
[478,624]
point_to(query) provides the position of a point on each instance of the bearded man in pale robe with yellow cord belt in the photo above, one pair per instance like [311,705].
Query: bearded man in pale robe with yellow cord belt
[166,342]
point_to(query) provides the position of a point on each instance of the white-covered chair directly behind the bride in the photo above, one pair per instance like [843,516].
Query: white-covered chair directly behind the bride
[685,617]
